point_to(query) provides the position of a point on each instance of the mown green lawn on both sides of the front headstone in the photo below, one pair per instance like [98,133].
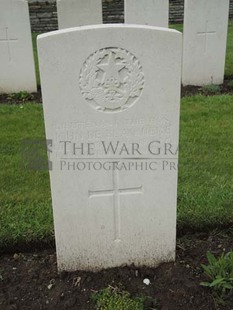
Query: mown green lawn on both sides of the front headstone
[205,197]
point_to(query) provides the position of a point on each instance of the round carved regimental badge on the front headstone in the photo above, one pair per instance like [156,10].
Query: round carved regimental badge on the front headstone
[111,80]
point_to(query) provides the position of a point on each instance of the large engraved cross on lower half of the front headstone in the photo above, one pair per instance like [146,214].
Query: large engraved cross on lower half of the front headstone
[116,191]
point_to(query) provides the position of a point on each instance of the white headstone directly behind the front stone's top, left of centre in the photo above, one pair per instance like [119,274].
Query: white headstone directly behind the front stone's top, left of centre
[73,13]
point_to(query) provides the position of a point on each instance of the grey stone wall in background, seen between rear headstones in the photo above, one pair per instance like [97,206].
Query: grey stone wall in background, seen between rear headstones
[43,13]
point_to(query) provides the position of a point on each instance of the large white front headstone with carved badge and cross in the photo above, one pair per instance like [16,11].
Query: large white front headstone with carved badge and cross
[111,97]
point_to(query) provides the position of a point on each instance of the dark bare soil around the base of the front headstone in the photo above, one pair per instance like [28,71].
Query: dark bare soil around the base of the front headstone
[30,280]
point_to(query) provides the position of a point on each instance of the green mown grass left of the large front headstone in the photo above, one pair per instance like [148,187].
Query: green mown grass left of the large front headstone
[25,202]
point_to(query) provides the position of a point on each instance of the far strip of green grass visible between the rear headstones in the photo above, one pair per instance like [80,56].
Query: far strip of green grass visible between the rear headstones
[179,27]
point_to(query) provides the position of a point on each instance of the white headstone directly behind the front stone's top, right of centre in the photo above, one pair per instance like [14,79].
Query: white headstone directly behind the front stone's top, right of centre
[147,12]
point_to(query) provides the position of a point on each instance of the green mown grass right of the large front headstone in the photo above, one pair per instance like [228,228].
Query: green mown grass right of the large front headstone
[206,167]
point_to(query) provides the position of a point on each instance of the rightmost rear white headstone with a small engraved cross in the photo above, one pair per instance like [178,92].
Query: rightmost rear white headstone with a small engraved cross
[205,37]
